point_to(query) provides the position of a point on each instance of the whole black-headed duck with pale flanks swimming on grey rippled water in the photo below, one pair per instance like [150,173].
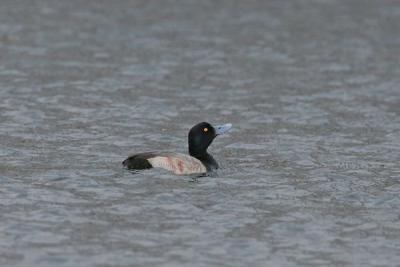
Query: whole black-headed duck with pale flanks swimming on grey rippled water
[199,161]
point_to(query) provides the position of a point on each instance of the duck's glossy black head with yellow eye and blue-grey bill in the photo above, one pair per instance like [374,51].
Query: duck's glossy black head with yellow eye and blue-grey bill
[201,136]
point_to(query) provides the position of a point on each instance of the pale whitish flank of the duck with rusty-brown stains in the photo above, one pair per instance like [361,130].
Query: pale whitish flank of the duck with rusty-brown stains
[178,163]
